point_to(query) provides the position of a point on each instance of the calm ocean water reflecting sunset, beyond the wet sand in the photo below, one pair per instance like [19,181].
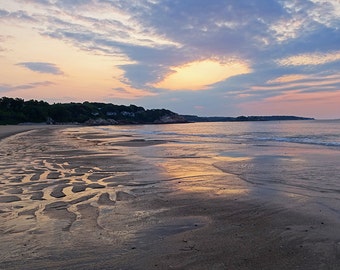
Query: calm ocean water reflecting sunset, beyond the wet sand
[295,158]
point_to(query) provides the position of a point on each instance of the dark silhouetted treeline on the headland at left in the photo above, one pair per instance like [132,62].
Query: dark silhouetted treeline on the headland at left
[16,110]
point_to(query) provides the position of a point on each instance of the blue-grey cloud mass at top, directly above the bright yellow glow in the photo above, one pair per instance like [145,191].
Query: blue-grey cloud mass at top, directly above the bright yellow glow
[218,27]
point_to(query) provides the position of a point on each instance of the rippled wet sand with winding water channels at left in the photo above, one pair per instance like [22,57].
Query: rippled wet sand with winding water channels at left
[58,186]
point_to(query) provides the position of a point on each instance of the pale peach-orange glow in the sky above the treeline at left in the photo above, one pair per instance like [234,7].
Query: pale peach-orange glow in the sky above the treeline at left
[86,76]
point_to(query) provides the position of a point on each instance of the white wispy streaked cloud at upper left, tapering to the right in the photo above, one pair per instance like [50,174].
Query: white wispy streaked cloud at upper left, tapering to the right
[102,21]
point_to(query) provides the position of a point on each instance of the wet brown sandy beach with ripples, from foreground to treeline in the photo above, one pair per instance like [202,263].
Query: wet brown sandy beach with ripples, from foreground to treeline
[70,199]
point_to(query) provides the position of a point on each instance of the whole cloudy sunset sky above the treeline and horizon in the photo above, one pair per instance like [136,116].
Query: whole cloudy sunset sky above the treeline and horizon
[201,57]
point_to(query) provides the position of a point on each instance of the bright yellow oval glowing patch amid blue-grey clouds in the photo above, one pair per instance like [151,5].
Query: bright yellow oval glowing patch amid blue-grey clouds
[199,75]
